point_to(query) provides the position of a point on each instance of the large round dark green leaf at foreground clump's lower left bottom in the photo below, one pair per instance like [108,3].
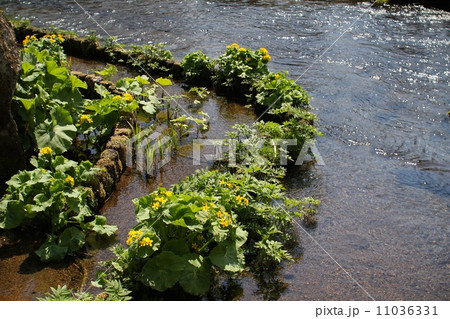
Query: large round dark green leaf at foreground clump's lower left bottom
[162,271]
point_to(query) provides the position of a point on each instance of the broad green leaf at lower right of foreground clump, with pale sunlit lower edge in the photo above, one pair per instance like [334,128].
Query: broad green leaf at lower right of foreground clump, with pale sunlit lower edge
[226,257]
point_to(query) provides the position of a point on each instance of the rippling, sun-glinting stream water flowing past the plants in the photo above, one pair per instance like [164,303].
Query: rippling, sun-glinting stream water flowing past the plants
[379,80]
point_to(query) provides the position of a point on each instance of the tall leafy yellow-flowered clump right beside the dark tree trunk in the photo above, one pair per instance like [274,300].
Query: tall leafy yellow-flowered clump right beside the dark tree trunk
[47,103]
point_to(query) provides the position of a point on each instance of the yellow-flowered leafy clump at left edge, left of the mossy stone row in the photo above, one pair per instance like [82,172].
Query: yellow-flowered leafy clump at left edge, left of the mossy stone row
[52,197]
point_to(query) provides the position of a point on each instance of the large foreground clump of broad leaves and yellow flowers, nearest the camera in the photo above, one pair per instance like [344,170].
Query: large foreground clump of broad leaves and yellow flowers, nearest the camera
[210,223]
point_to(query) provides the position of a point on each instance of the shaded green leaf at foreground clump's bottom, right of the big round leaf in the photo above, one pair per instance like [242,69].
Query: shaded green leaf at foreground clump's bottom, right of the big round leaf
[196,276]
